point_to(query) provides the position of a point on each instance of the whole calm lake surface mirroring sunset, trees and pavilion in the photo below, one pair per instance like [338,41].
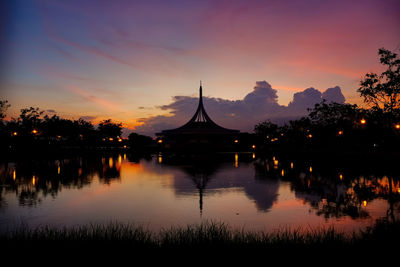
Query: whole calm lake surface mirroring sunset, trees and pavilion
[160,191]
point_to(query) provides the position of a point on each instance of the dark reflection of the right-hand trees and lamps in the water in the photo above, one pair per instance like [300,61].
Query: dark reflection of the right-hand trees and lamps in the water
[330,194]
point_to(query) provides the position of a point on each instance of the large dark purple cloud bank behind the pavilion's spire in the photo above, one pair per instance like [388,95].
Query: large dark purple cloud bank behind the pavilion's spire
[258,105]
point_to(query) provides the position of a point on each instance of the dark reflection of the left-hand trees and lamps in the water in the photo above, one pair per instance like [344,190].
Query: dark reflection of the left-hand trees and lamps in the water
[33,180]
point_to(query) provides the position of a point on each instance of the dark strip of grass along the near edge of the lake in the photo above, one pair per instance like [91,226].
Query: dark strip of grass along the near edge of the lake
[209,236]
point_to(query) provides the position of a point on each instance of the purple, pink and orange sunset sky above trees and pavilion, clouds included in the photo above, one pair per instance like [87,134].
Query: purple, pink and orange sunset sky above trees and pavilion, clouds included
[140,62]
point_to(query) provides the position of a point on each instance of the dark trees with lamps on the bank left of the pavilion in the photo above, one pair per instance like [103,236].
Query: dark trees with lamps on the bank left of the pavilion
[34,130]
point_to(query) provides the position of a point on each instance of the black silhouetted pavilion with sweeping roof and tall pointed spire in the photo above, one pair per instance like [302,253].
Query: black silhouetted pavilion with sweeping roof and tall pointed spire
[199,133]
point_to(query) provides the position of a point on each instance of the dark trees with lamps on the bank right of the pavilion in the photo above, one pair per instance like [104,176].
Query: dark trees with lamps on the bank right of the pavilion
[346,126]
